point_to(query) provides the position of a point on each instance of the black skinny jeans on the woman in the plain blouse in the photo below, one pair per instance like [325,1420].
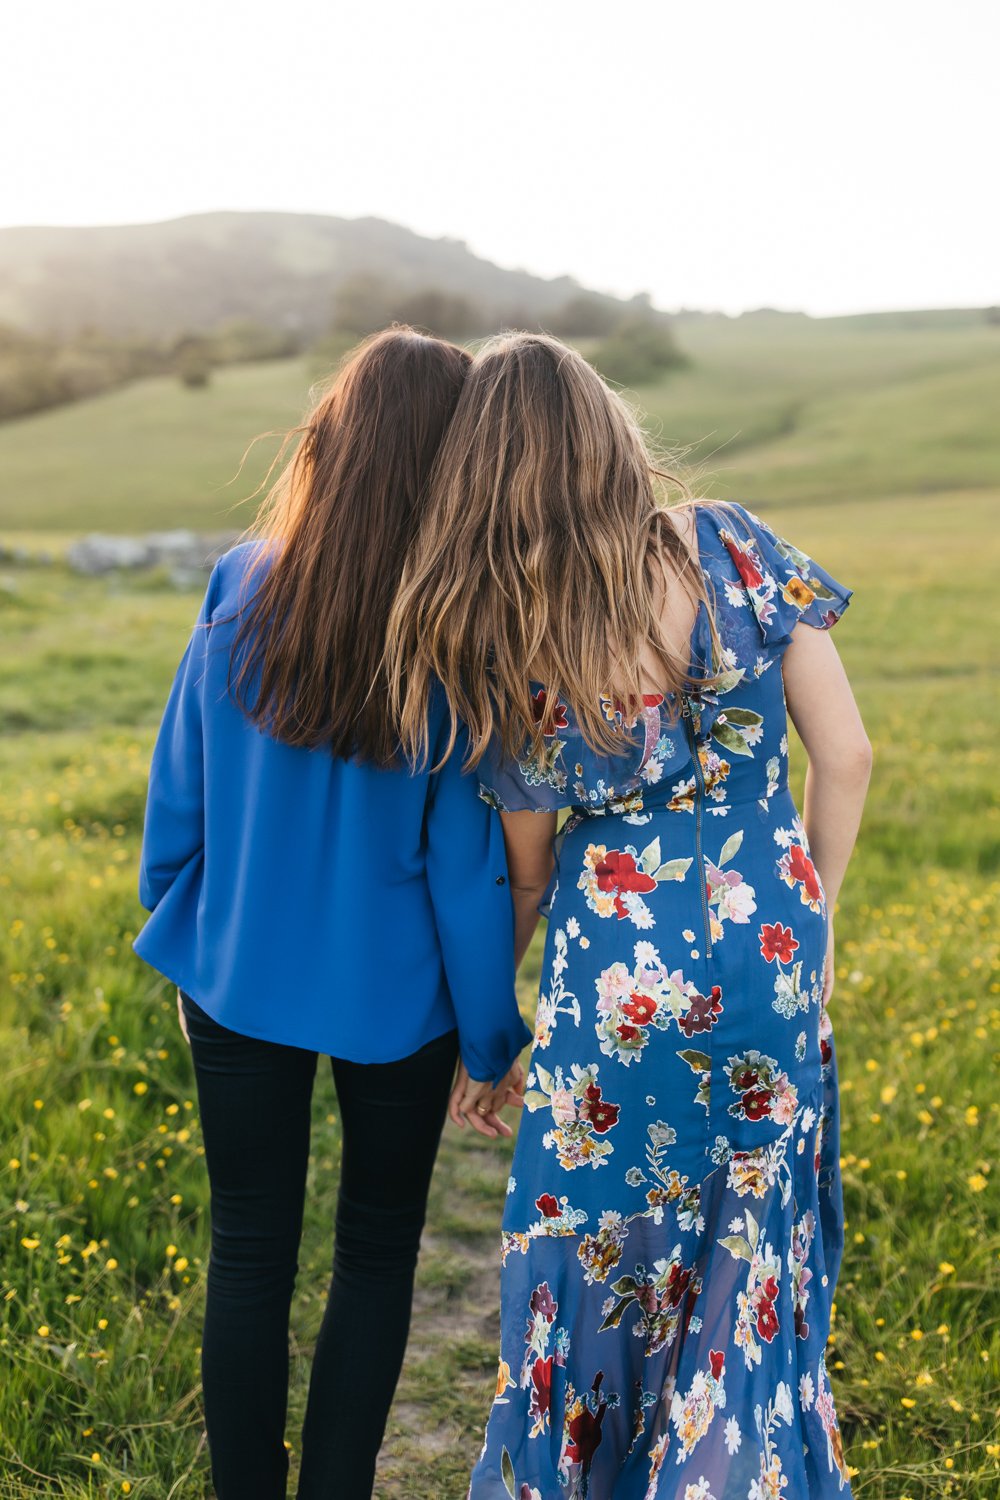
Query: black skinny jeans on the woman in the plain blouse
[256,1112]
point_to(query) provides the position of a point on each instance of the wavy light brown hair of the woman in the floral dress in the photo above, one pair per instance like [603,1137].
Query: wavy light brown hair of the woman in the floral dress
[542,551]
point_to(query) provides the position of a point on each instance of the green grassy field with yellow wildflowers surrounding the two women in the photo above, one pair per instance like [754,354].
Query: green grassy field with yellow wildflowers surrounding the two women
[104,1205]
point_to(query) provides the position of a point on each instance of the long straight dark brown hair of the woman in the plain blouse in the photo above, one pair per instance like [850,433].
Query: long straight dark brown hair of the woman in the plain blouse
[308,658]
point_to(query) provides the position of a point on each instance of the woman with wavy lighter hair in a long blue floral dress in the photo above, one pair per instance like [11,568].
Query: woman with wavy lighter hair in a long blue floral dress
[674,1226]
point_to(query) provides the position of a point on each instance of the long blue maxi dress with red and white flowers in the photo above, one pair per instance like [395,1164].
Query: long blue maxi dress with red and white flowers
[674,1223]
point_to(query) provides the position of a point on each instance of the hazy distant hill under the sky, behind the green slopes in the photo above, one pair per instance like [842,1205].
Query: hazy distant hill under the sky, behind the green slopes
[278,269]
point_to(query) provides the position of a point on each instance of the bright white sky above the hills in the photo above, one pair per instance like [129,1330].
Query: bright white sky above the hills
[836,157]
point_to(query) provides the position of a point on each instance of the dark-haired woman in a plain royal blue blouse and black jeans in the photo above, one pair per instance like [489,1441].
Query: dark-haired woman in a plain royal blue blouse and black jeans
[311,893]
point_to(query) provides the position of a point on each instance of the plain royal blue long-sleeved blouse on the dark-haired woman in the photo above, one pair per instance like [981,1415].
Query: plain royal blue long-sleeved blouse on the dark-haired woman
[320,902]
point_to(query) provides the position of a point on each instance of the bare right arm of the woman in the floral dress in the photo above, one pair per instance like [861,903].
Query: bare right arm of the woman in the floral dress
[825,715]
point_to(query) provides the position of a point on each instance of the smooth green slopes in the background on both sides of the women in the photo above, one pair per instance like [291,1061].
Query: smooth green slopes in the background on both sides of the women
[770,410]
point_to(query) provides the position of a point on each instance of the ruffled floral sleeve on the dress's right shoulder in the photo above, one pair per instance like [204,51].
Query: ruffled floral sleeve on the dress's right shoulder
[783,584]
